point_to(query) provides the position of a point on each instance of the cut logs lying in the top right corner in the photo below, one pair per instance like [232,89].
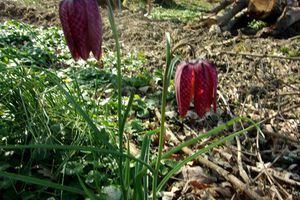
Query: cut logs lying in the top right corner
[282,13]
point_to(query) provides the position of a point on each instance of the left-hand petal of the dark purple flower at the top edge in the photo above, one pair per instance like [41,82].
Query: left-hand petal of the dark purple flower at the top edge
[64,16]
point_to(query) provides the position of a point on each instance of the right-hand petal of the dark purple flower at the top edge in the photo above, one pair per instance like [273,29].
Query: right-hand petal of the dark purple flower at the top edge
[94,28]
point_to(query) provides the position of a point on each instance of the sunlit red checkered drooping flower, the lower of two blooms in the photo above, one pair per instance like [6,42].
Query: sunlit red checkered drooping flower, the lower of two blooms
[196,79]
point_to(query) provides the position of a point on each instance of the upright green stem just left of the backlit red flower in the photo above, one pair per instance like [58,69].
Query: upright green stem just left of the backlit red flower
[162,123]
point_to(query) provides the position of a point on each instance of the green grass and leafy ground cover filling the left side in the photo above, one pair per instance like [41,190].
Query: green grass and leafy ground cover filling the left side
[33,110]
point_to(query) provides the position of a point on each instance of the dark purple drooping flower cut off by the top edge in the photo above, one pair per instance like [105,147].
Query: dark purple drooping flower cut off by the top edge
[82,26]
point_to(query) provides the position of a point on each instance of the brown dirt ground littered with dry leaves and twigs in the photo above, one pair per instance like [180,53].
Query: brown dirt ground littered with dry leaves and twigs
[256,79]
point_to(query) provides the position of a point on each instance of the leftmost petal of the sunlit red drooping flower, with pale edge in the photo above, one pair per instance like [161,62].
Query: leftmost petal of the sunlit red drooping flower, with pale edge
[184,83]
